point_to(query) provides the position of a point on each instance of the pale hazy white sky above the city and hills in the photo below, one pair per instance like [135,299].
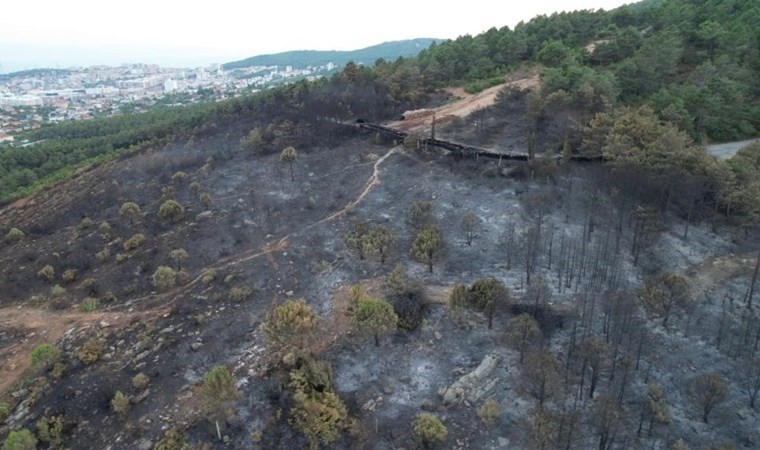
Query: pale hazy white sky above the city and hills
[63,33]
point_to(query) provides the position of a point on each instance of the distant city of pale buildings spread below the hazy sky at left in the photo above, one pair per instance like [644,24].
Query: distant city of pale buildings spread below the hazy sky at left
[33,98]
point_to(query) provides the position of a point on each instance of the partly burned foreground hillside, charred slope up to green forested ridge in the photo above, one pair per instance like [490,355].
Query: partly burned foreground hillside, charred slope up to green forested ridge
[510,251]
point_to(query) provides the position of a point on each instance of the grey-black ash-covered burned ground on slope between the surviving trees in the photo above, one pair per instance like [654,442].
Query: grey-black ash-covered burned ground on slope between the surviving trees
[283,239]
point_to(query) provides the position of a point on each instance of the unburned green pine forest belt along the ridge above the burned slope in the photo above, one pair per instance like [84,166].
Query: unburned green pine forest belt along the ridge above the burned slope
[694,64]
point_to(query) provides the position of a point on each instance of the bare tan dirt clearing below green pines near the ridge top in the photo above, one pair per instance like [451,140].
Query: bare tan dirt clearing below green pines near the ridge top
[464,103]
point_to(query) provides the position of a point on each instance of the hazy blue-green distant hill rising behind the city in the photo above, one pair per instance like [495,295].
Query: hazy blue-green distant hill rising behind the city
[368,56]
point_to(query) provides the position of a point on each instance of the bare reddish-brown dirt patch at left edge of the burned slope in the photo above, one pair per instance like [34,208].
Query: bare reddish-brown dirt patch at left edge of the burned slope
[33,326]
